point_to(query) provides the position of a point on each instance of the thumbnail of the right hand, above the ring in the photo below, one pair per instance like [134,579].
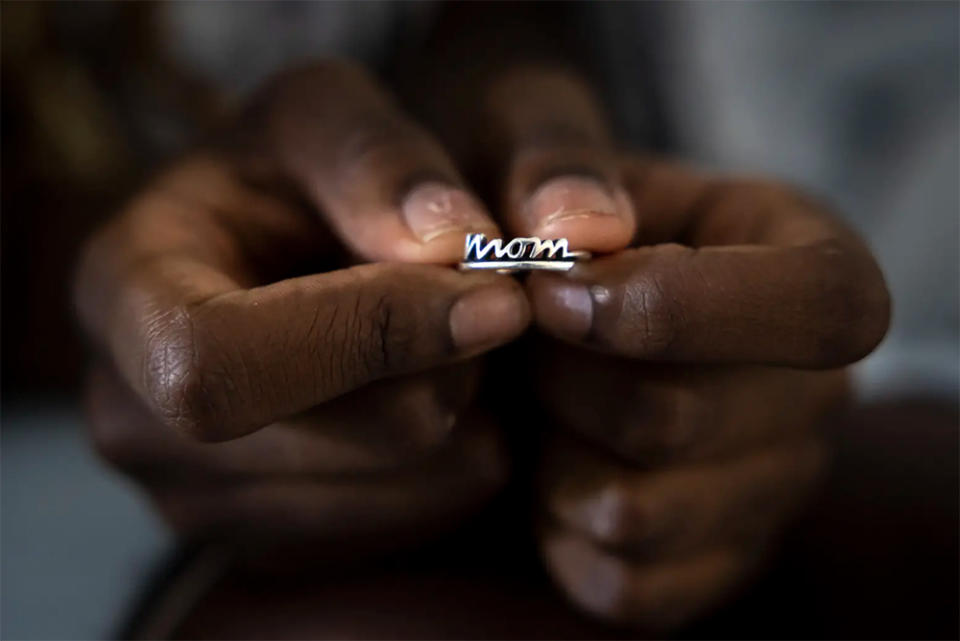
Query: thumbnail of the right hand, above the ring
[568,197]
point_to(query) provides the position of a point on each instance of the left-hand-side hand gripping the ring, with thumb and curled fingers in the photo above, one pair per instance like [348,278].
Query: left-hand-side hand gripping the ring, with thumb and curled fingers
[261,388]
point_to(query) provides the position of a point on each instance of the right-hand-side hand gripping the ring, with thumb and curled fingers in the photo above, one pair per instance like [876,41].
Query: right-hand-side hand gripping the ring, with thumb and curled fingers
[683,373]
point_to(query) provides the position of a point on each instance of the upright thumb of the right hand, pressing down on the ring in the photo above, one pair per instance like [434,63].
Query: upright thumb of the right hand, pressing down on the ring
[561,177]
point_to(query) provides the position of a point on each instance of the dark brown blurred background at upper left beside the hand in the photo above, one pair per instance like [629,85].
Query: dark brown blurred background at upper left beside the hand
[90,105]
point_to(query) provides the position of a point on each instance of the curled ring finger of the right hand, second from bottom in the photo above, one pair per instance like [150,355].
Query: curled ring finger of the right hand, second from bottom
[674,510]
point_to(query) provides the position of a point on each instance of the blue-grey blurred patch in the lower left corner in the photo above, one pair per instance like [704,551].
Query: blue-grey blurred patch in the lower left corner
[76,542]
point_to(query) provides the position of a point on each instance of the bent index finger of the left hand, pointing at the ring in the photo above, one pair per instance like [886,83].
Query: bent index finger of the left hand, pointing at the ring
[247,358]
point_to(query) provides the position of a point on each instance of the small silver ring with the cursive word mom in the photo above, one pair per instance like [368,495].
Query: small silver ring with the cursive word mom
[518,253]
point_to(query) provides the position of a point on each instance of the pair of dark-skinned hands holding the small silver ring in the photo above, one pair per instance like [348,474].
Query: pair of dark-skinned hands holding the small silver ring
[681,372]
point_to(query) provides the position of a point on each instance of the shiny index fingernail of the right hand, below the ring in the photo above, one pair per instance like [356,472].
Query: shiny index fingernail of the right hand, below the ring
[562,307]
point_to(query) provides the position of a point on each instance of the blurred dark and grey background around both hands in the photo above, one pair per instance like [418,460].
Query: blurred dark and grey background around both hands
[857,102]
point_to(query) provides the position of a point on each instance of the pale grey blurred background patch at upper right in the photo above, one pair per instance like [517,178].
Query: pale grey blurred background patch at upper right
[858,103]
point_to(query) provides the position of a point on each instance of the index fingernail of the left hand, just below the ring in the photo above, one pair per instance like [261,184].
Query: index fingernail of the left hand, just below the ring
[488,316]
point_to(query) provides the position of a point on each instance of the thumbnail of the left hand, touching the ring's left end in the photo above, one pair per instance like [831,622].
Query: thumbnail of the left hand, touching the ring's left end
[434,209]
